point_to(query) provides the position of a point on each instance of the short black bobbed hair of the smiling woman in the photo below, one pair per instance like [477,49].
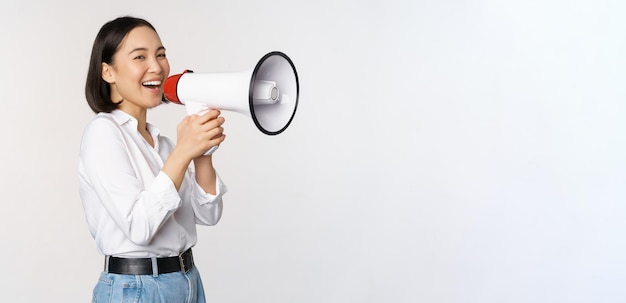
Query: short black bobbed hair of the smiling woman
[108,40]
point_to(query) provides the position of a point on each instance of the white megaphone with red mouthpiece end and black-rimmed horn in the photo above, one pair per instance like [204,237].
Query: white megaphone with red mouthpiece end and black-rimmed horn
[268,93]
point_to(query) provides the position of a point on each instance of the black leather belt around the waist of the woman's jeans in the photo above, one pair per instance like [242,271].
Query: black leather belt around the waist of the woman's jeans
[143,266]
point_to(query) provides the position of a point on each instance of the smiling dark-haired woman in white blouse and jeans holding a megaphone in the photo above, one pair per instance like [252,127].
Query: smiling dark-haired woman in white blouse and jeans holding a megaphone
[143,195]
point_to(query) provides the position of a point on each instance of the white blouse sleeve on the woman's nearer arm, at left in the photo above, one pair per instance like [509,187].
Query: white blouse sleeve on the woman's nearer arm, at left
[109,166]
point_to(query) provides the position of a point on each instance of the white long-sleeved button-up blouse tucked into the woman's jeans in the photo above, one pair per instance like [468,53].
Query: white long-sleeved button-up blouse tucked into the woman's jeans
[132,208]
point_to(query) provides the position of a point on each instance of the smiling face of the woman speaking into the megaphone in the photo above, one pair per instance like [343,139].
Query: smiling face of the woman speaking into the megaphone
[138,71]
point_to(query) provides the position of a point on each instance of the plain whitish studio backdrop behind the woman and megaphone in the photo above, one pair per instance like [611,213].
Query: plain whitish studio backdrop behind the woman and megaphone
[443,151]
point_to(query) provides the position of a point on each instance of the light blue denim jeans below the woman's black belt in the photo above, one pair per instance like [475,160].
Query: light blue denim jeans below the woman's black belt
[176,287]
